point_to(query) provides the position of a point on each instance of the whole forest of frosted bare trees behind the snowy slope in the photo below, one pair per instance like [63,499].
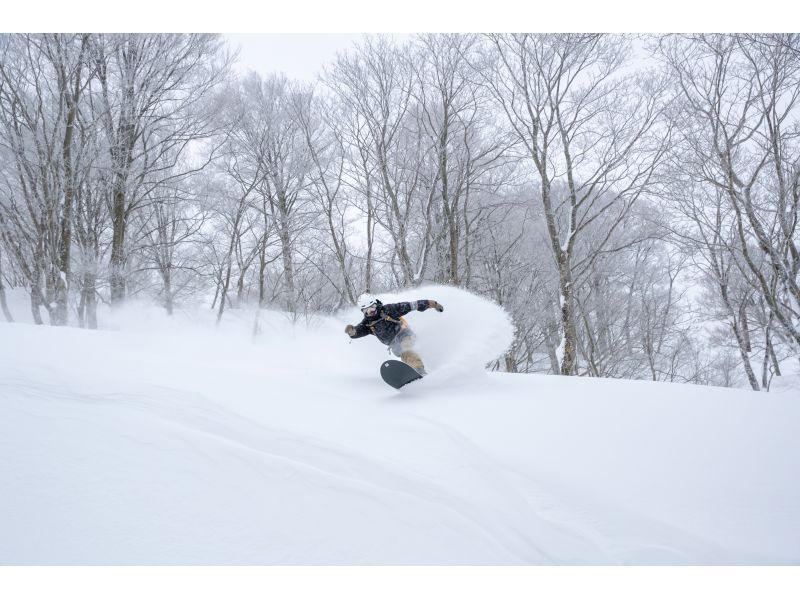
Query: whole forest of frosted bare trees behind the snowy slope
[632,201]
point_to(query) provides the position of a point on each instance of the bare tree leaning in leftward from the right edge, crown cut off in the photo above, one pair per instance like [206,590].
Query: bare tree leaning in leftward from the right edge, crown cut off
[740,99]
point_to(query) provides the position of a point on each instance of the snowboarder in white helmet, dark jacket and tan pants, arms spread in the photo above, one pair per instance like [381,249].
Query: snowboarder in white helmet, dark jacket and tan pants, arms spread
[388,324]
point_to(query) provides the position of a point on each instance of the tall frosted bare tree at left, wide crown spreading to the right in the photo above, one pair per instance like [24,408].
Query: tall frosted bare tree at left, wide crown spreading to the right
[154,90]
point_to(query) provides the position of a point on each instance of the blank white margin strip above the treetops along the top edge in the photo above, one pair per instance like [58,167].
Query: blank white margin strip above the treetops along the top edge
[343,16]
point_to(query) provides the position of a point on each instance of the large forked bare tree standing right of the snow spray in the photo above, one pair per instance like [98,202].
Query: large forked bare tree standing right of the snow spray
[584,124]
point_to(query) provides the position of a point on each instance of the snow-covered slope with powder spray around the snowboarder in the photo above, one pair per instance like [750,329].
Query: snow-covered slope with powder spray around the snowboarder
[172,441]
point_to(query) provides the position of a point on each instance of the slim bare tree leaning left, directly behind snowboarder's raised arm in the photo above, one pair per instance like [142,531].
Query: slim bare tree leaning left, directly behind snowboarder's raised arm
[376,81]
